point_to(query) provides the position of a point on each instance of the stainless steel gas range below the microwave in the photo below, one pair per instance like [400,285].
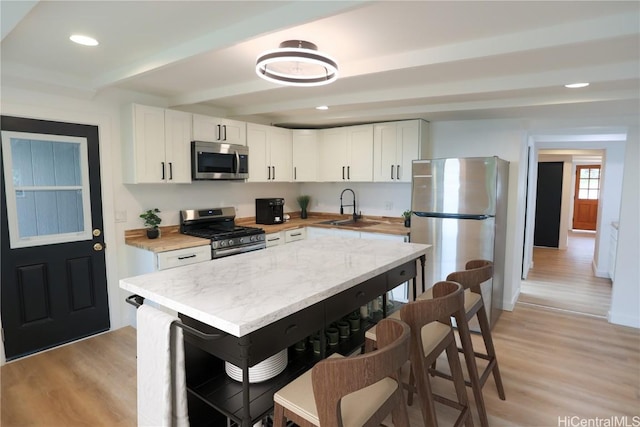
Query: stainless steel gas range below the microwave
[218,225]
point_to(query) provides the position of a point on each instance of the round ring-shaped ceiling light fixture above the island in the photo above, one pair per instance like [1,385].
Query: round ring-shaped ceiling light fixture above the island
[297,63]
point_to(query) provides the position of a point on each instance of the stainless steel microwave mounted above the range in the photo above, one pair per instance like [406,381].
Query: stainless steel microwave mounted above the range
[214,160]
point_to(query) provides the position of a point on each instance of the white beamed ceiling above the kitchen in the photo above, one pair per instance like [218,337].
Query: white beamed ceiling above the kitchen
[437,60]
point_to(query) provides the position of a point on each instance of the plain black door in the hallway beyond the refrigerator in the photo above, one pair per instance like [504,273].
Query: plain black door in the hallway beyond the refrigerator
[548,204]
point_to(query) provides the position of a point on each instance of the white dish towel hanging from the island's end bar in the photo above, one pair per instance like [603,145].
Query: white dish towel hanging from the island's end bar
[162,387]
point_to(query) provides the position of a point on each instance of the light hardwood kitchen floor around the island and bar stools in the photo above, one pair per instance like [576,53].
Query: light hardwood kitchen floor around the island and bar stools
[554,364]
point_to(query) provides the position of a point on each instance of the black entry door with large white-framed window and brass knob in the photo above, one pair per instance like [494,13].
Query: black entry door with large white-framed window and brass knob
[54,287]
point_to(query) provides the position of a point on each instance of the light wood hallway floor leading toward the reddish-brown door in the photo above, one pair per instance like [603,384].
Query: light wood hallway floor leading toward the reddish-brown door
[564,279]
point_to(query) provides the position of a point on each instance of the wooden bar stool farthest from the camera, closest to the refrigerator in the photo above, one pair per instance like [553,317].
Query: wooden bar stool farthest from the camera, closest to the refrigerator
[476,272]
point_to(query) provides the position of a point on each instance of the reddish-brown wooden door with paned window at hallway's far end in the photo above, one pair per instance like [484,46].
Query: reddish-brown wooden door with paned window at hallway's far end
[585,198]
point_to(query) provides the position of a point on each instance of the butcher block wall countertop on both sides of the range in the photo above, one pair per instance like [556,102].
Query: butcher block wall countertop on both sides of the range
[171,239]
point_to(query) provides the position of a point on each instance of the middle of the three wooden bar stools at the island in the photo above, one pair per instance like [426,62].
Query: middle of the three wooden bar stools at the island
[431,335]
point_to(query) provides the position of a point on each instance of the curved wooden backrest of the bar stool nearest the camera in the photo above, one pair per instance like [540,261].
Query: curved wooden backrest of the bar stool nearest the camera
[335,378]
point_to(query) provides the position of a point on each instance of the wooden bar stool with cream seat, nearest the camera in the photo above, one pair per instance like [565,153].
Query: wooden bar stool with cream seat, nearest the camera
[351,391]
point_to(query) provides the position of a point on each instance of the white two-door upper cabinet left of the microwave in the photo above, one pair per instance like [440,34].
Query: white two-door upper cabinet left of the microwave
[157,145]
